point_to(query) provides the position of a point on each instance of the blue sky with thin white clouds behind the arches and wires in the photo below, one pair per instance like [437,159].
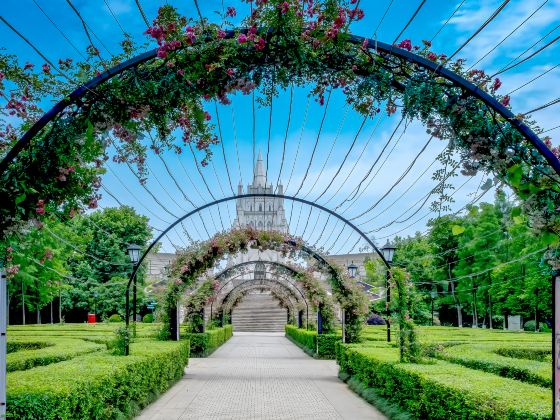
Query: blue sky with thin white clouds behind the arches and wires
[340,124]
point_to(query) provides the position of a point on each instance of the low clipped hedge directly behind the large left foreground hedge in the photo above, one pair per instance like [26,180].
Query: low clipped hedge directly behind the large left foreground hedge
[55,350]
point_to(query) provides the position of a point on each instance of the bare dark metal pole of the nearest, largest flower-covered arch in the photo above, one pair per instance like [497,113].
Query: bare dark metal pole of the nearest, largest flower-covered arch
[371,44]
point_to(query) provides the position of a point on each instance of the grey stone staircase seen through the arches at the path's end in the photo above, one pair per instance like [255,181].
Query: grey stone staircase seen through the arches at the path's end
[259,312]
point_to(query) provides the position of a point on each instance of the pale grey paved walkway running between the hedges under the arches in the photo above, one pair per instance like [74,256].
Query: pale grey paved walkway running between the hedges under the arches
[260,376]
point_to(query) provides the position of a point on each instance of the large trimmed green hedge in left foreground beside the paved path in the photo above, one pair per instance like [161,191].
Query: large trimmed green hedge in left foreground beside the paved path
[98,385]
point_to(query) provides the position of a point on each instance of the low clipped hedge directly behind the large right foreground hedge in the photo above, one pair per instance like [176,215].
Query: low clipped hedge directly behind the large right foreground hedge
[484,357]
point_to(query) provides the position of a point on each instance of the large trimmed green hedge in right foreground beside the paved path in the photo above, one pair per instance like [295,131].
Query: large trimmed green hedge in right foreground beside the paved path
[443,390]
